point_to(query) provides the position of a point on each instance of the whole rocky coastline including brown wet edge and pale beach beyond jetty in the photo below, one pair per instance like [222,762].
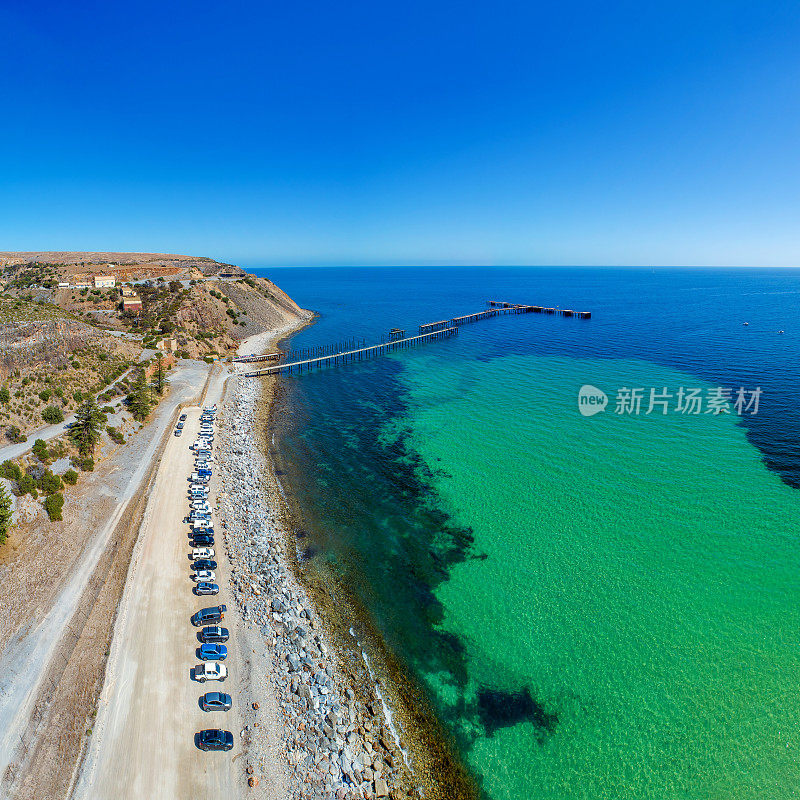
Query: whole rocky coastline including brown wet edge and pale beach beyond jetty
[353,724]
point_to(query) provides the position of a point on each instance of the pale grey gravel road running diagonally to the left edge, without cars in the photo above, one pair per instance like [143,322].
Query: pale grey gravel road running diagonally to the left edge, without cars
[29,655]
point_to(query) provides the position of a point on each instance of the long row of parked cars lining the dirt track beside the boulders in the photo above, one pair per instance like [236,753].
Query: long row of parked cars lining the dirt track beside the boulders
[212,636]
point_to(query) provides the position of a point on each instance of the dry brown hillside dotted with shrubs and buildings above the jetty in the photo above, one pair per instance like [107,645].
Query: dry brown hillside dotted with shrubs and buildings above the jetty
[58,342]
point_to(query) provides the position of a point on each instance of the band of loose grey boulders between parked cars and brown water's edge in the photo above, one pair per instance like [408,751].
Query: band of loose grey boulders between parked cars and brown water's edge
[337,739]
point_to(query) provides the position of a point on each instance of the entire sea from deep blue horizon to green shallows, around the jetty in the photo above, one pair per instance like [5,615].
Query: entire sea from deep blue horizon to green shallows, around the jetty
[597,607]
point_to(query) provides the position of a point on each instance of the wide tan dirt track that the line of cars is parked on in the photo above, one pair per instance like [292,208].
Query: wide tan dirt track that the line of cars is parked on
[142,745]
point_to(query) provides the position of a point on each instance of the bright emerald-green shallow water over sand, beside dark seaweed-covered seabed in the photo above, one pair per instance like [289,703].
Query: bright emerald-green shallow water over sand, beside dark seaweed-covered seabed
[633,631]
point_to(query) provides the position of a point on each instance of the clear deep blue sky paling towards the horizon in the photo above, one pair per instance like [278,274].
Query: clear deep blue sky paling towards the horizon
[404,133]
